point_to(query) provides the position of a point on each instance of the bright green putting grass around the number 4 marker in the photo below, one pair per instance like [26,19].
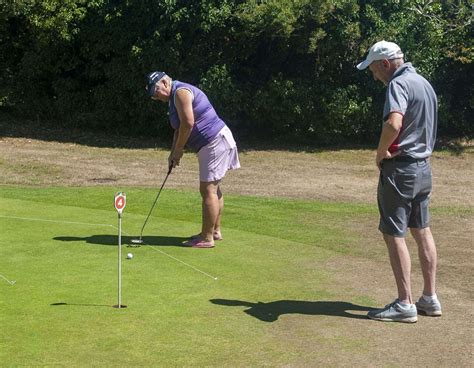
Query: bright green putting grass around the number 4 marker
[269,265]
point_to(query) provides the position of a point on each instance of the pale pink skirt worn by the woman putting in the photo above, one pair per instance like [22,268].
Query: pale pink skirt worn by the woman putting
[218,156]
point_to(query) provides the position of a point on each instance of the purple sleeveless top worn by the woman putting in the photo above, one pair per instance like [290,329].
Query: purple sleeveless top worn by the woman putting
[206,122]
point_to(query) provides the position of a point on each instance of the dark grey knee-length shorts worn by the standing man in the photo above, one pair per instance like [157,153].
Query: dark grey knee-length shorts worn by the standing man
[403,195]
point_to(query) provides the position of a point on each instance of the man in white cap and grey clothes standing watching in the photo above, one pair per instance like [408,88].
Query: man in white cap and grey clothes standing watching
[406,143]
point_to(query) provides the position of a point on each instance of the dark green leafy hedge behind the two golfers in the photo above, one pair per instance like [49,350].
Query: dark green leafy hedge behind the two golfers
[275,70]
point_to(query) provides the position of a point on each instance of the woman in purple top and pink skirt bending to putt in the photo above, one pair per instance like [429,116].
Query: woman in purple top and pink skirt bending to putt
[197,125]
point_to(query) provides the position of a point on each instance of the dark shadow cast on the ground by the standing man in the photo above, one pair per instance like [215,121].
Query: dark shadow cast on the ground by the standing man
[270,312]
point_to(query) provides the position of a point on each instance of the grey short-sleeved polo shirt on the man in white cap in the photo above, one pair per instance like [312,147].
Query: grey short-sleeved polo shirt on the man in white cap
[412,96]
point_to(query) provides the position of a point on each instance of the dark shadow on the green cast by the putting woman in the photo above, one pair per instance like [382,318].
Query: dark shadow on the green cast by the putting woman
[106,239]
